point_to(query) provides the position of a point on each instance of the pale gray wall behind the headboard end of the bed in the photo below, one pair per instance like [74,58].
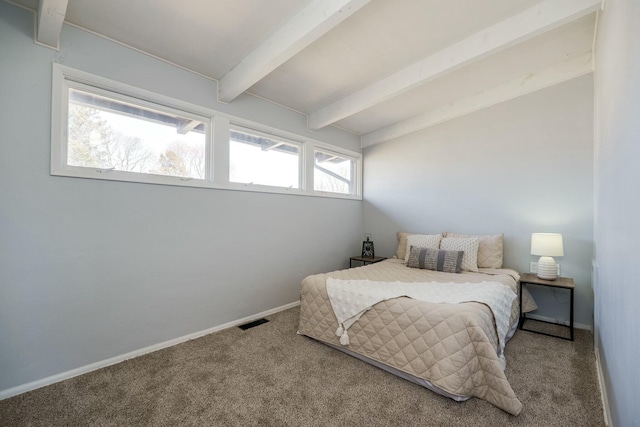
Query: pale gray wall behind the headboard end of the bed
[519,167]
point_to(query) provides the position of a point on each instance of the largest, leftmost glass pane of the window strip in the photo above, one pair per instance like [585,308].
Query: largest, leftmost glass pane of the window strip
[110,133]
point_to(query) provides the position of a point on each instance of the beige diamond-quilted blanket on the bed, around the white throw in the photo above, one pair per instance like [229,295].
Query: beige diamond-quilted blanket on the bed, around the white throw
[453,346]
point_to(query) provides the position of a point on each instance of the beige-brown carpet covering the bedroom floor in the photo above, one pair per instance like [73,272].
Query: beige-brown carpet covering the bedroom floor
[270,376]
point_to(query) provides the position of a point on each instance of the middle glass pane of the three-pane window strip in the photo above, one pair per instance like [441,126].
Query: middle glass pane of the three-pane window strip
[256,158]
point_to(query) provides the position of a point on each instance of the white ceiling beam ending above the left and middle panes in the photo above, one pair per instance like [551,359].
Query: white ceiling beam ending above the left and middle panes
[308,25]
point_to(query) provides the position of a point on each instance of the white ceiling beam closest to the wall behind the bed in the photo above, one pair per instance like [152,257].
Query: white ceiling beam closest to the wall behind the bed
[523,85]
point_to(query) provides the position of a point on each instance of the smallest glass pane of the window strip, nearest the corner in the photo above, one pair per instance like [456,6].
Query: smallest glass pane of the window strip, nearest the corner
[333,173]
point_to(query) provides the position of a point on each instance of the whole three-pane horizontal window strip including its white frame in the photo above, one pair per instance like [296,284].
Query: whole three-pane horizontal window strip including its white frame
[102,129]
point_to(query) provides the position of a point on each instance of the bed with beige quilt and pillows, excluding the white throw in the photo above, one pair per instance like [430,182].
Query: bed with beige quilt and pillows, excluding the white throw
[452,349]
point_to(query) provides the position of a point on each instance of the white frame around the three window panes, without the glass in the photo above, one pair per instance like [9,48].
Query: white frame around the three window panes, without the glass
[217,142]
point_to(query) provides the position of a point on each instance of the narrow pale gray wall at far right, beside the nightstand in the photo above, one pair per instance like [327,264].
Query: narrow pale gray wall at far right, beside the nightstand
[617,203]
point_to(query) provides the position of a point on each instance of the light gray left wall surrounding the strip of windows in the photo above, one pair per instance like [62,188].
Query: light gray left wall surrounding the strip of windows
[93,269]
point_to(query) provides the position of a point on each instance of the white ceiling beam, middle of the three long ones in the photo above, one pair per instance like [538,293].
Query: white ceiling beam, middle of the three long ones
[516,29]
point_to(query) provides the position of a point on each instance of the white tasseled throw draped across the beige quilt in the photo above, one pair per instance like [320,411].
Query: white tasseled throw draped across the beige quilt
[350,299]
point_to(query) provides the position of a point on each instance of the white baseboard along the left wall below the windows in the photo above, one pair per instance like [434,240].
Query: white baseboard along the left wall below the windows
[14,391]
